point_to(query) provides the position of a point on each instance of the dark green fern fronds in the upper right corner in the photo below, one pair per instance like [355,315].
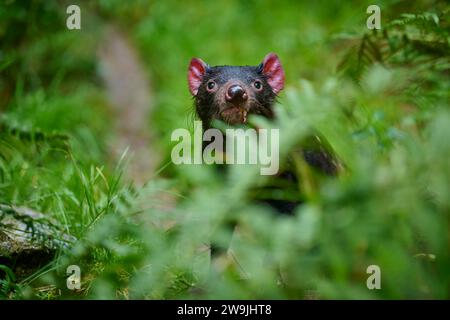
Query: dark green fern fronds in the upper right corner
[416,43]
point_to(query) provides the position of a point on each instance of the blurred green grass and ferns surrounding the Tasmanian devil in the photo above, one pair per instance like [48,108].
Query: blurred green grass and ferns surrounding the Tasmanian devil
[385,112]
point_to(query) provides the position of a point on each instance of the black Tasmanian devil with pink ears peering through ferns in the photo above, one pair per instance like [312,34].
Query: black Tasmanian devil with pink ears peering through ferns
[232,93]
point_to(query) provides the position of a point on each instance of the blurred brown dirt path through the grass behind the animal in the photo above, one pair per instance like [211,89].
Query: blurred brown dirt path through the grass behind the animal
[129,92]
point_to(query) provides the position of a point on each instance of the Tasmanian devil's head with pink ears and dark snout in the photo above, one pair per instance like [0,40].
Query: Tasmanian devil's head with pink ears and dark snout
[231,93]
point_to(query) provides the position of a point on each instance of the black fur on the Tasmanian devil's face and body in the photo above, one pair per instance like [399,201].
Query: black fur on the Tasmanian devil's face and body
[210,105]
